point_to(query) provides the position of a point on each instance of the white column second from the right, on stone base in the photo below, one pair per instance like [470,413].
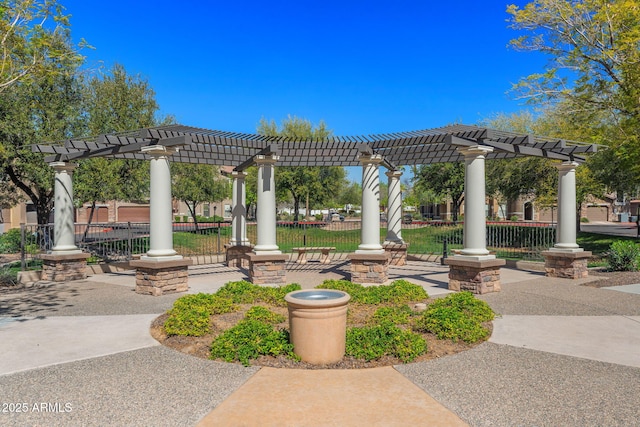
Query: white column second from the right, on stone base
[475,222]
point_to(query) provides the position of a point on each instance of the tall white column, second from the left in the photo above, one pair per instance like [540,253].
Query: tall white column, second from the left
[161,227]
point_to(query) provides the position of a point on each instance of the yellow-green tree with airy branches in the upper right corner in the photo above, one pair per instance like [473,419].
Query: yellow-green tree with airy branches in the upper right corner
[593,48]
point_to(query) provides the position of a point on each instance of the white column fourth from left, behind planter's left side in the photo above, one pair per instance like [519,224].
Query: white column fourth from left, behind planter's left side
[266,244]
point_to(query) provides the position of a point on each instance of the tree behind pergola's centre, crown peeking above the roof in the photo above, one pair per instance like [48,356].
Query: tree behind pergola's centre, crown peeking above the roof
[313,183]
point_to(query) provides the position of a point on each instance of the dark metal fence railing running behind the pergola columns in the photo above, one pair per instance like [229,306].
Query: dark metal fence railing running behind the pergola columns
[123,241]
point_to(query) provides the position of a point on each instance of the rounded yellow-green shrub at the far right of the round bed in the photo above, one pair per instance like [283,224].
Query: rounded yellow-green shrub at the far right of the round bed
[457,316]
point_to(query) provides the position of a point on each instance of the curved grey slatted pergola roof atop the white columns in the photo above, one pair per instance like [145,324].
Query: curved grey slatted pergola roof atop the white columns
[222,148]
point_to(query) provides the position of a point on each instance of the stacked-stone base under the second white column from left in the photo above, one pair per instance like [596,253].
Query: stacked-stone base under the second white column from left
[161,277]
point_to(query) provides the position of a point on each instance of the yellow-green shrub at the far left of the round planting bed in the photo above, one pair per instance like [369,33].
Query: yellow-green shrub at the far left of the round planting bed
[190,314]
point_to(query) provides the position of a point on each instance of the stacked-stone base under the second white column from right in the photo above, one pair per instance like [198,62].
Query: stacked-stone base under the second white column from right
[475,276]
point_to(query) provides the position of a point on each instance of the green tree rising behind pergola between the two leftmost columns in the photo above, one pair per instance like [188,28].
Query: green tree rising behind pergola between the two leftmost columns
[115,102]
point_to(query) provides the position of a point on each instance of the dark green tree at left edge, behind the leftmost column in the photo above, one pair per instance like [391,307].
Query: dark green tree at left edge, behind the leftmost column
[46,108]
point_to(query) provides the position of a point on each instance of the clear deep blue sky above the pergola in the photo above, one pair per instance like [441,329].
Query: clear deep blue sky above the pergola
[364,67]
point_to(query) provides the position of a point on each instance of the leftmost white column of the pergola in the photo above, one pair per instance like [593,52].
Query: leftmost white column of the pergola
[64,228]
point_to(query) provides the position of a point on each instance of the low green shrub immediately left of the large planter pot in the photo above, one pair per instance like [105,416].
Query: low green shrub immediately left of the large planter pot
[250,339]
